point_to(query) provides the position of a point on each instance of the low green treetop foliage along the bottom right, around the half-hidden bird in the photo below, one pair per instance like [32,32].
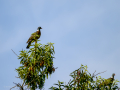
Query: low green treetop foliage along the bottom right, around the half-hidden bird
[82,80]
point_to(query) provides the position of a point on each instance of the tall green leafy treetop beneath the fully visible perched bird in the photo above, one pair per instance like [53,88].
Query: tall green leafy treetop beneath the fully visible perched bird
[37,64]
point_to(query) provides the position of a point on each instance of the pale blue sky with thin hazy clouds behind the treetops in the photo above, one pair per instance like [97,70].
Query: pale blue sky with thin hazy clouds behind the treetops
[84,32]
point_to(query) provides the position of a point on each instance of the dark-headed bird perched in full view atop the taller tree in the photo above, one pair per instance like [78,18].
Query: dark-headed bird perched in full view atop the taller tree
[33,37]
